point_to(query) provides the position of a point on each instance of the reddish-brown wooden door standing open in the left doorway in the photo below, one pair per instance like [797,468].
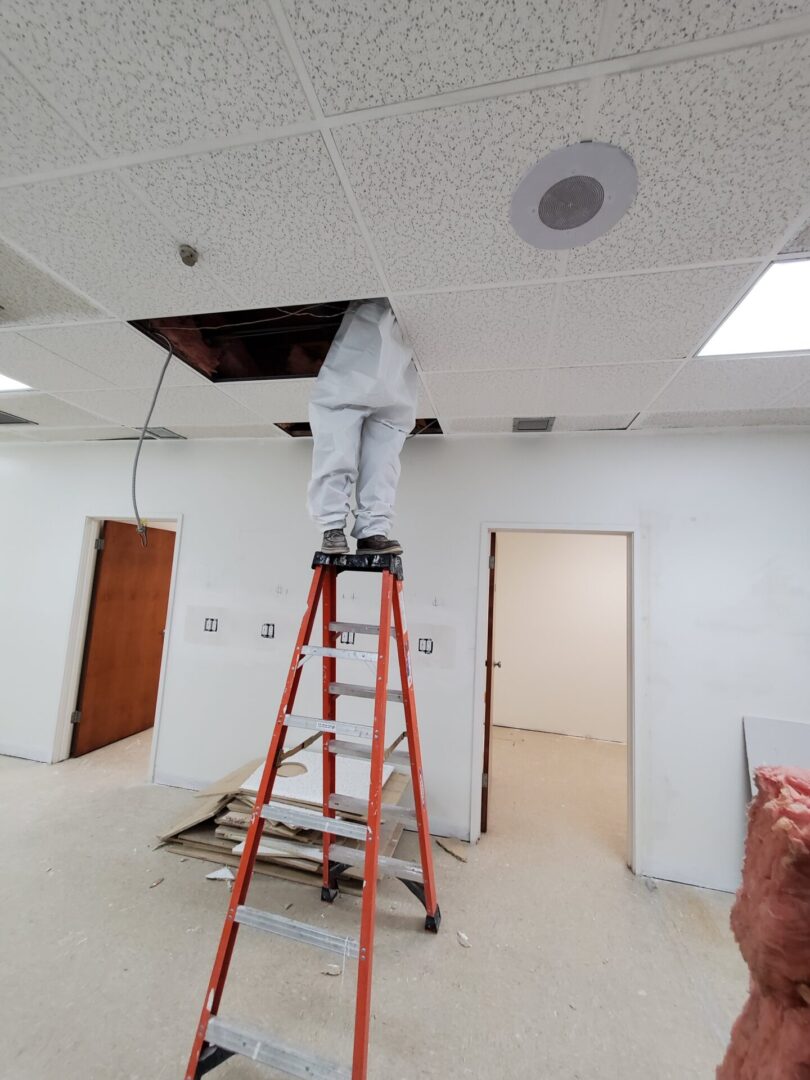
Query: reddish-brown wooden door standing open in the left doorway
[118,691]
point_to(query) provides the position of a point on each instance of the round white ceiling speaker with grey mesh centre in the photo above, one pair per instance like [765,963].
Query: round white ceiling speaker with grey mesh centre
[574,195]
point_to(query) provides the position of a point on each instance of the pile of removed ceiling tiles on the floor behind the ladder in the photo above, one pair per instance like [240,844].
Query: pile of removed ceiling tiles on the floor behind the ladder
[218,818]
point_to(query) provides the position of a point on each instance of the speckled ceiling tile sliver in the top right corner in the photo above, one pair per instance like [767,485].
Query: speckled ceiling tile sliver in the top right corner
[642,25]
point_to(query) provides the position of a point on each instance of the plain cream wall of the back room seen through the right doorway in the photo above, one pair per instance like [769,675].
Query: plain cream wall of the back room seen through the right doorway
[561,633]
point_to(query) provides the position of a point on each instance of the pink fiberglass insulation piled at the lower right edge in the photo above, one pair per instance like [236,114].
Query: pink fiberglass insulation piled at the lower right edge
[772,923]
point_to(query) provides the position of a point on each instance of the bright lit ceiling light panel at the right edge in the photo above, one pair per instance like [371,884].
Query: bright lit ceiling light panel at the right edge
[773,317]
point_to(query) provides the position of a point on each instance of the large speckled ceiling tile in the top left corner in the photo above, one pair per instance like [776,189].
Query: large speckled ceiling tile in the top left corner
[163,73]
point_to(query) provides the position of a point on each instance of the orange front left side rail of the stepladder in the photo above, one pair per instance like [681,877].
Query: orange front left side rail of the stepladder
[239,894]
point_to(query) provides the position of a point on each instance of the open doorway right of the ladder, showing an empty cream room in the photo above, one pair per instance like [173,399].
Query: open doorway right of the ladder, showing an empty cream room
[558,676]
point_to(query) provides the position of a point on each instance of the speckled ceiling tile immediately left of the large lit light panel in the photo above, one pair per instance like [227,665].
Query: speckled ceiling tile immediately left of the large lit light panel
[643,318]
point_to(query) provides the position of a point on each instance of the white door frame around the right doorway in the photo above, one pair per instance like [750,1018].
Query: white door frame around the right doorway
[637,666]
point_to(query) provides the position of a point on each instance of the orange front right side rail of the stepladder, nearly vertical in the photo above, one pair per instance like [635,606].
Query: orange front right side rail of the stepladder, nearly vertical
[363,1011]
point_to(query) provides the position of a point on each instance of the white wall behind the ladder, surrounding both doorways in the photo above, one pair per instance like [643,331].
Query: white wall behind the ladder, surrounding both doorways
[723,579]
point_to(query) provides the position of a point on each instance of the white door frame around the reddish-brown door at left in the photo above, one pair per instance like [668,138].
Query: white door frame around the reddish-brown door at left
[78,631]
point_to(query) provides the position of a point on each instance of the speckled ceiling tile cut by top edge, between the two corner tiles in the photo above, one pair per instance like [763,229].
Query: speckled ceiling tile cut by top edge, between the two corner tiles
[371,52]
